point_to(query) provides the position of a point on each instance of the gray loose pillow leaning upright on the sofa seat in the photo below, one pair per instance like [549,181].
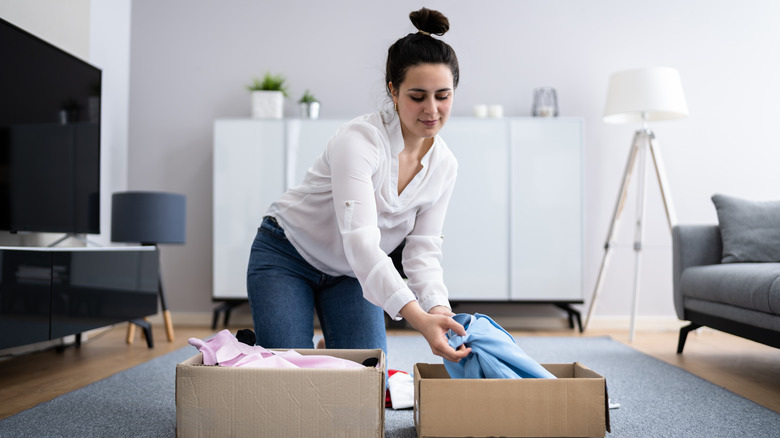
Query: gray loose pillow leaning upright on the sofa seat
[750,230]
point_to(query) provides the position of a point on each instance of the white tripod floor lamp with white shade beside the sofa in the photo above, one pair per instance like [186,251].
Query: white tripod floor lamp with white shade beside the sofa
[634,96]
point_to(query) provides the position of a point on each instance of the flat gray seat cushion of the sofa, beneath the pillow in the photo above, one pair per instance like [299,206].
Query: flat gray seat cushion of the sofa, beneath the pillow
[753,286]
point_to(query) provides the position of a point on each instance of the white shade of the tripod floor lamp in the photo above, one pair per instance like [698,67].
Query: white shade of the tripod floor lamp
[644,95]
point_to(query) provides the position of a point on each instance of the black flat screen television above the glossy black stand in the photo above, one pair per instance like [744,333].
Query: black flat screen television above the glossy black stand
[49,137]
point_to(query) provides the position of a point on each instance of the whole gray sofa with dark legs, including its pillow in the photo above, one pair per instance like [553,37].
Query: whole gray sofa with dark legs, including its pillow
[727,276]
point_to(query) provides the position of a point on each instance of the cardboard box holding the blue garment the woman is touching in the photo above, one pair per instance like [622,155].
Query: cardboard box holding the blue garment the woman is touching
[575,404]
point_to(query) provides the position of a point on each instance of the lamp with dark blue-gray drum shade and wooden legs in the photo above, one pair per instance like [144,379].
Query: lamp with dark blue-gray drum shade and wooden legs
[149,218]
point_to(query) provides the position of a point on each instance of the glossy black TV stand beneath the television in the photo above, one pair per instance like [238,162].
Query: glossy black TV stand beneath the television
[49,293]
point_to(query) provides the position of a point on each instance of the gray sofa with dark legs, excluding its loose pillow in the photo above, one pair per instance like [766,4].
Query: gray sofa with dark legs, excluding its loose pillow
[741,298]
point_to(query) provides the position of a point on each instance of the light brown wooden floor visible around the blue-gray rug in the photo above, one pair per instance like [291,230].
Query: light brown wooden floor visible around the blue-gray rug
[744,367]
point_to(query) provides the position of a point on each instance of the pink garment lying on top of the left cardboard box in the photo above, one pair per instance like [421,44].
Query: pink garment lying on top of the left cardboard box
[225,350]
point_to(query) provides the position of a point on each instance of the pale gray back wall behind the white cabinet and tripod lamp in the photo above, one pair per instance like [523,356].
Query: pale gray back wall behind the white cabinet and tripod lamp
[190,61]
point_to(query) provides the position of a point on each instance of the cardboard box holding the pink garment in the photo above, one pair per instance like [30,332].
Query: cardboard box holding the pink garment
[214,401]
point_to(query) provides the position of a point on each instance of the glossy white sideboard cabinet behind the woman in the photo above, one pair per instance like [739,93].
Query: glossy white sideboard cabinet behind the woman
[514,226]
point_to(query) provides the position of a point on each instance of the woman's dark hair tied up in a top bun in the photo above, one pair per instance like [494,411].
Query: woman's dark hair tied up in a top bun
[421,48]
